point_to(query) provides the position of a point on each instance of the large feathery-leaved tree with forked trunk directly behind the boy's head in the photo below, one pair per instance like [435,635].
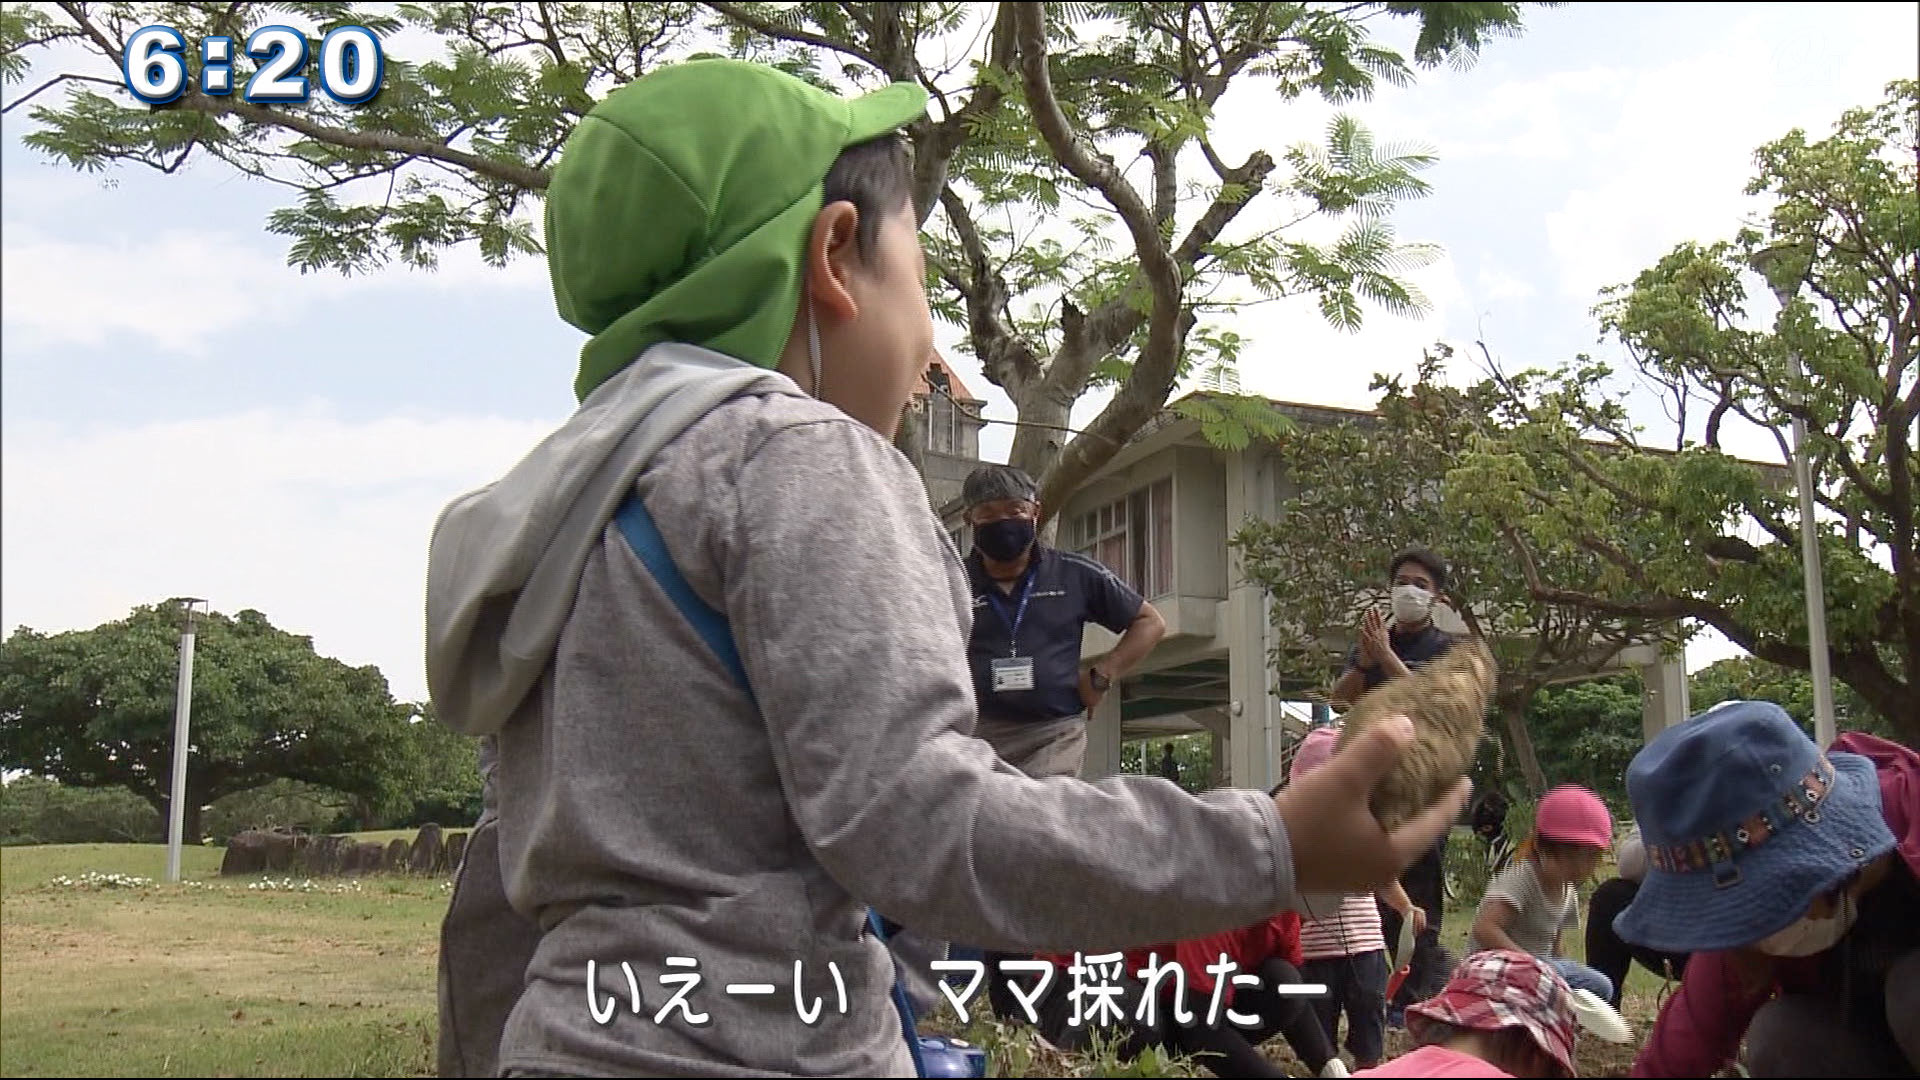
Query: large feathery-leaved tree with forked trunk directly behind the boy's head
[1088,218]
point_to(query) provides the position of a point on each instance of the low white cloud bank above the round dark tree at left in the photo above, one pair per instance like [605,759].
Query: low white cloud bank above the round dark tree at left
[320,524]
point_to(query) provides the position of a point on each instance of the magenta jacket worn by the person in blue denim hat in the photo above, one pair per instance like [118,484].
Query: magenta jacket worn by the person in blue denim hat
[1702,1025]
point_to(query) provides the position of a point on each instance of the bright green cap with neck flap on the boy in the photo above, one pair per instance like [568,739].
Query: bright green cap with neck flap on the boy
[683,205]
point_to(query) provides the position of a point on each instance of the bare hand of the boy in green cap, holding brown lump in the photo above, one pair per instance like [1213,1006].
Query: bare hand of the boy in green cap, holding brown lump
[1339,847]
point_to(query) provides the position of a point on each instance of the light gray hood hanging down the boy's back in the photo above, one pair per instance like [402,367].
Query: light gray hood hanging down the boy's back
[506,562]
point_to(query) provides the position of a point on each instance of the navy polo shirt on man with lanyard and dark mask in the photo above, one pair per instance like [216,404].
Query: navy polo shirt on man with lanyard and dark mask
[1068,591]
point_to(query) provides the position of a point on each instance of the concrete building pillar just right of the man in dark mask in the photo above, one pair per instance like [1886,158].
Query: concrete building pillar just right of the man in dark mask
[1253,710]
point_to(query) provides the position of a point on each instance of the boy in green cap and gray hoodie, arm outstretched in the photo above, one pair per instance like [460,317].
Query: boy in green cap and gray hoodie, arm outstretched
[698,822]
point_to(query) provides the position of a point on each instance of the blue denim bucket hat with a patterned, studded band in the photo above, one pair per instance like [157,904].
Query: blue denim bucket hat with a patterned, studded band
[1746,822]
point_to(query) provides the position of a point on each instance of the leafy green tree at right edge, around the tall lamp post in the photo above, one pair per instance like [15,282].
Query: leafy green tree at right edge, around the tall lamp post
[1842,241]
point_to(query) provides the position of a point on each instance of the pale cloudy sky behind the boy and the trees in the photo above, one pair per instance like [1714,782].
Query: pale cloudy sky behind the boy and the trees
[183,414]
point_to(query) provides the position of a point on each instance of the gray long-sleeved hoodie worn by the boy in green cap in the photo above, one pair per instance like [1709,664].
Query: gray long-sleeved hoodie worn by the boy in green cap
[660,823]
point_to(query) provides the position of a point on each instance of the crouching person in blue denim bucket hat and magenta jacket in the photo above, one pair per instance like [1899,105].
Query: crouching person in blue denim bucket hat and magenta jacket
[1794,881]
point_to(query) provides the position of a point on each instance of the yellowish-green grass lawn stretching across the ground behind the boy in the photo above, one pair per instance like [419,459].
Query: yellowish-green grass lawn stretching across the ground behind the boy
[258,977]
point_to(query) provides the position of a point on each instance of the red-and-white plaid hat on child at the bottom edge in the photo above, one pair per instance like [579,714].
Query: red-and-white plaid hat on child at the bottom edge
[1504,989]
